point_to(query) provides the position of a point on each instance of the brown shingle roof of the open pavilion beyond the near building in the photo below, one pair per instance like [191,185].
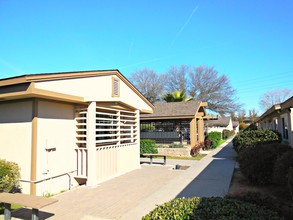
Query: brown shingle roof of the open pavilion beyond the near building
[174,109]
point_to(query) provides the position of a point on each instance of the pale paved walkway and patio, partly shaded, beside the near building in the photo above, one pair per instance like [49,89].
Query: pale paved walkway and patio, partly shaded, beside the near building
[134,194]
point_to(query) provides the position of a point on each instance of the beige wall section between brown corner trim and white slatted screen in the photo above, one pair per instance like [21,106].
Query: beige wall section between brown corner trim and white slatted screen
[56,155]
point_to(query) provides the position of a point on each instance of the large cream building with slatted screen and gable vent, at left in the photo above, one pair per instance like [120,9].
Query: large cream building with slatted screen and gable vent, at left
[65,129]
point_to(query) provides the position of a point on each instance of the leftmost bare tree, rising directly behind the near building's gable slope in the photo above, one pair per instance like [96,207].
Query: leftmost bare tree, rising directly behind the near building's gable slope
[149,83]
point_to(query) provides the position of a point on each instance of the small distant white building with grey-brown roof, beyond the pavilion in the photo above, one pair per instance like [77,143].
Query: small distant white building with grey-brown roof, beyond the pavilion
[219,124]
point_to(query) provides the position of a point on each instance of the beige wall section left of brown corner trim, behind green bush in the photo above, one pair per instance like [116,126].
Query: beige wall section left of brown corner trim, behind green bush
[16,133]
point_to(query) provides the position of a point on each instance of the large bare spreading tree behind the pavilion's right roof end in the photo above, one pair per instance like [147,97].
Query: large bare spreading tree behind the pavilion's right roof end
[206,85]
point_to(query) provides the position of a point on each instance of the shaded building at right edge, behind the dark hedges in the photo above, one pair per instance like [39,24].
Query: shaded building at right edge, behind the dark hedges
[279,118]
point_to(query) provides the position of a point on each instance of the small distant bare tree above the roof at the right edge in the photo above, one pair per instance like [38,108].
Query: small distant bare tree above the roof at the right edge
[274,97]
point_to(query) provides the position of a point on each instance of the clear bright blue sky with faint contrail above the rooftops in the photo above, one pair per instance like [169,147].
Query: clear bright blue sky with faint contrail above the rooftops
[250,41]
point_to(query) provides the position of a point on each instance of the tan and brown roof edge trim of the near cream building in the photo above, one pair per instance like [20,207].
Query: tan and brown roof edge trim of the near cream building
[23,86]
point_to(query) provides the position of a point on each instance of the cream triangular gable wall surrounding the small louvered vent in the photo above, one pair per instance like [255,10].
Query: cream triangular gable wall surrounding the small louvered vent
[97,88]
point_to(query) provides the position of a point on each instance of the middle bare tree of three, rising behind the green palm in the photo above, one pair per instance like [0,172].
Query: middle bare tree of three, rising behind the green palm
[176,78]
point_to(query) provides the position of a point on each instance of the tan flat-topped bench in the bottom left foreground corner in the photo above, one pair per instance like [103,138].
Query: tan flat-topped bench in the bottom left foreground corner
[30,201]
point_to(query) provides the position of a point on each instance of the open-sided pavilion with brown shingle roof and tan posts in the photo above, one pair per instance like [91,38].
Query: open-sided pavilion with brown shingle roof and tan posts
[174,122]
